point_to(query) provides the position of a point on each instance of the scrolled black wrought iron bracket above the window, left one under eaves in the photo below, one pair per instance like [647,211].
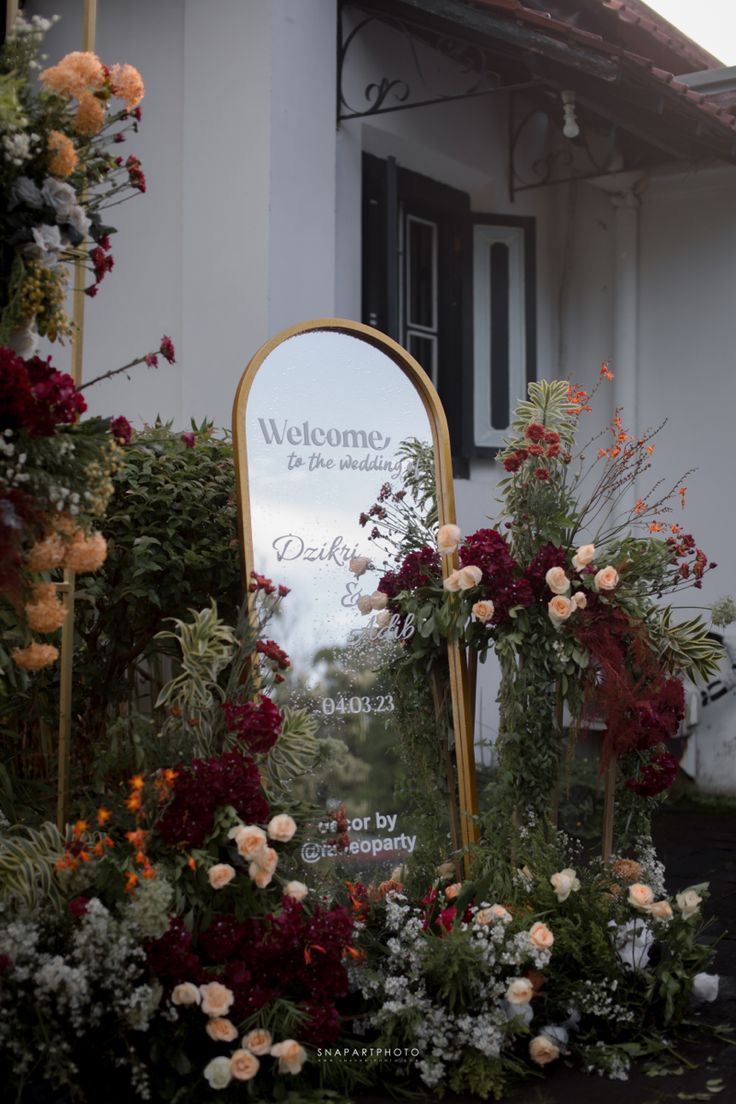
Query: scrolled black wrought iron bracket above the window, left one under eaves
[474,75]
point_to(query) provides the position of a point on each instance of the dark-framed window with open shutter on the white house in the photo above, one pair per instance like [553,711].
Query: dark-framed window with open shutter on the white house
[457,291]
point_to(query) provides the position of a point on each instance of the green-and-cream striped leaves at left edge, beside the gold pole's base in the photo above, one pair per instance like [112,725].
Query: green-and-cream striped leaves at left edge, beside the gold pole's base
[28,857]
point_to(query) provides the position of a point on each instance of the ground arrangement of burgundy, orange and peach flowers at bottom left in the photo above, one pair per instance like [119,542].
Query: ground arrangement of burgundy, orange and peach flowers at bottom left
[214,962]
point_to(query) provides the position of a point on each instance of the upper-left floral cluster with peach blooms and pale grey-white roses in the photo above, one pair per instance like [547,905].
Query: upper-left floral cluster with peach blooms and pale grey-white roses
[59,178]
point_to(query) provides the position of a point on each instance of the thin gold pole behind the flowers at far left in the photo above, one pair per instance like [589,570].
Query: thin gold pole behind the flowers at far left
[67,588]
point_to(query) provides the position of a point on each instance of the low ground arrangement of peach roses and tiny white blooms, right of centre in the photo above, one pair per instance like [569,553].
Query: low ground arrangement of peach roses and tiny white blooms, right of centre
[589,965]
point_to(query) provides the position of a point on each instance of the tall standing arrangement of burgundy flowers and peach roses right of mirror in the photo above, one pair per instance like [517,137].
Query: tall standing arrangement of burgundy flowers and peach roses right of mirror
[568,592]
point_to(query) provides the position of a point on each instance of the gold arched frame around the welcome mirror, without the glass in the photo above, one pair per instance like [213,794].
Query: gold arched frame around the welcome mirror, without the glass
[460,684]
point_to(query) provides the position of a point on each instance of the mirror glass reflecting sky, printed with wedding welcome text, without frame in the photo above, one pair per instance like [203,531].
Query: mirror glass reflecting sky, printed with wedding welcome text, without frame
[326,418]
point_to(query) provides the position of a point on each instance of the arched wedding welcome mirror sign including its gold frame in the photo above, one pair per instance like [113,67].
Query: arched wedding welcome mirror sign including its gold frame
[337,429]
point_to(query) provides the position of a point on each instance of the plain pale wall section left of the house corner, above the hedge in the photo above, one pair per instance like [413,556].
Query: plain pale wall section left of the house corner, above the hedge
[236,236]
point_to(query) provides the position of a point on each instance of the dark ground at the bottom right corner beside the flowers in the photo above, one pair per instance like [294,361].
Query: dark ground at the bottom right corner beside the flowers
[697,844]
